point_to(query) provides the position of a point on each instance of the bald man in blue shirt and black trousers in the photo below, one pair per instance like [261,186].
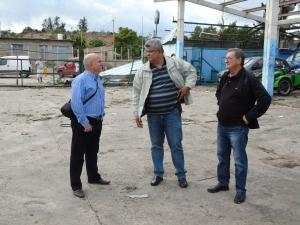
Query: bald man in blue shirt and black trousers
[87,123]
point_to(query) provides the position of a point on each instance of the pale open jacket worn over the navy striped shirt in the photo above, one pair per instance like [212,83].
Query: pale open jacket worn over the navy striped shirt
[181,73]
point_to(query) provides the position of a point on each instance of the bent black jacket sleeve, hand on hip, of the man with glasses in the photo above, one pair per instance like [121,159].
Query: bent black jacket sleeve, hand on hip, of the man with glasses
[263,100]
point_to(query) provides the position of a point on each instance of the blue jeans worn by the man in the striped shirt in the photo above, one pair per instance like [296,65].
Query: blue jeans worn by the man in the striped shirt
[161,125]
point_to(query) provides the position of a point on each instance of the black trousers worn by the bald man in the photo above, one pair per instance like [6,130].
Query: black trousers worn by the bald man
[84,144]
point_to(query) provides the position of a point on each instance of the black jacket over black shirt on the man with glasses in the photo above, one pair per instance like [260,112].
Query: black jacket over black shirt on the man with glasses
[241,95]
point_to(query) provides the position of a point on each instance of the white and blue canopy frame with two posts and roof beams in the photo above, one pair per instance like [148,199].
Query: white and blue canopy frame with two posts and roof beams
[276,14]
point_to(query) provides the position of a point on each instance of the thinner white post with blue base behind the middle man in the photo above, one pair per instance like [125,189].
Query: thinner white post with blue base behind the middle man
[180,29]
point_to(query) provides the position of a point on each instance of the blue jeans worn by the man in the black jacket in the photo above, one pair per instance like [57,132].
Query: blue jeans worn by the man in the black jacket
[235,138]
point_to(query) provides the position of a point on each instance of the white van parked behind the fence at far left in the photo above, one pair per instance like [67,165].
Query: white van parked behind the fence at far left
[11,64]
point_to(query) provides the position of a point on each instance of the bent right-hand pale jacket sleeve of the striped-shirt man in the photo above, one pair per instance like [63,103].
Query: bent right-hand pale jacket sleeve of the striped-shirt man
[188,72]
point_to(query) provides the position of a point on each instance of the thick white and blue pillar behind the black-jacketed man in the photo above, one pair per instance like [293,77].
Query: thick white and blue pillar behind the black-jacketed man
[270,44]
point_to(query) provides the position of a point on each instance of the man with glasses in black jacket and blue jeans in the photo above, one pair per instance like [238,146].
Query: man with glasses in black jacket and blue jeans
[241,99]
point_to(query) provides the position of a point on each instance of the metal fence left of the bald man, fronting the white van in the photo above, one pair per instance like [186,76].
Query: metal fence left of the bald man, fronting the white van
[22,71]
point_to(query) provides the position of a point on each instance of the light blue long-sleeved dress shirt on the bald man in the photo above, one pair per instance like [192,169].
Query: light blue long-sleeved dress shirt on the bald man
[84,86]
